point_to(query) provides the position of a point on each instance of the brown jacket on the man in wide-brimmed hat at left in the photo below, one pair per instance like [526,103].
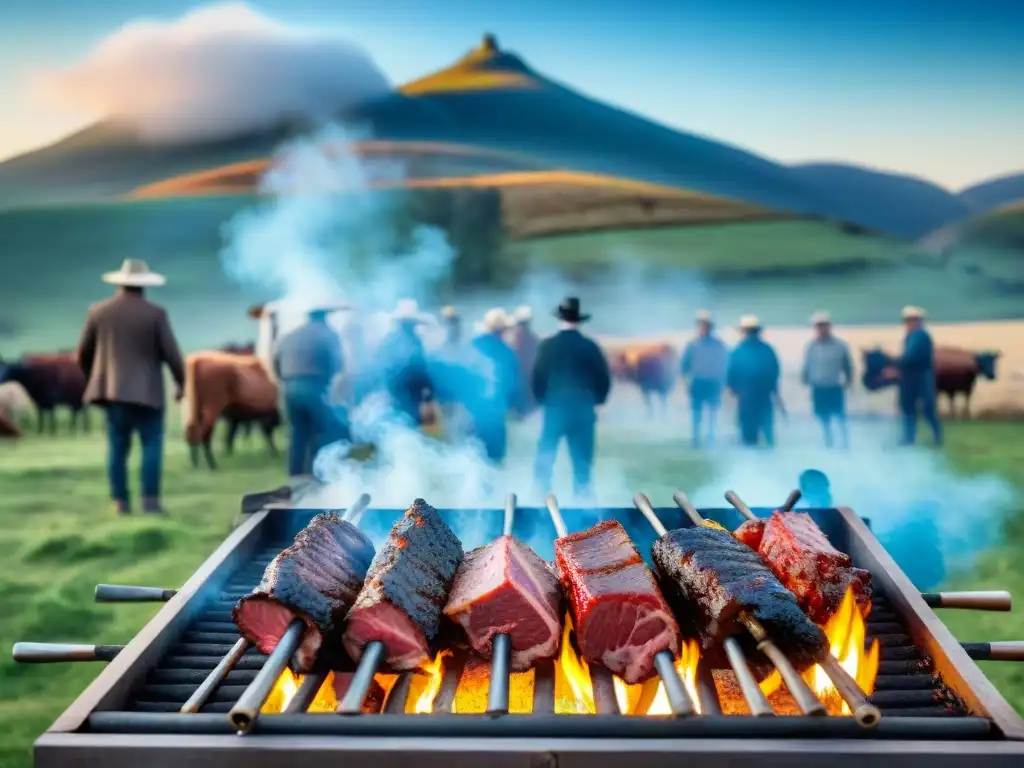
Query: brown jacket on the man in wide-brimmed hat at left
[125,345]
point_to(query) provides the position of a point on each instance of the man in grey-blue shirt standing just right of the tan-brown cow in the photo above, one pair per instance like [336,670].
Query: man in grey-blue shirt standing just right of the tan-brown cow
[307,362]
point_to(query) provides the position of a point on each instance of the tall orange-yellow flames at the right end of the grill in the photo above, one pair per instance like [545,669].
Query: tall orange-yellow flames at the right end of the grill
[847,634]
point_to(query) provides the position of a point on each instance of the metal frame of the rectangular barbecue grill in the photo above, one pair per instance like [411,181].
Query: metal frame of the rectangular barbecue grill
[69,741]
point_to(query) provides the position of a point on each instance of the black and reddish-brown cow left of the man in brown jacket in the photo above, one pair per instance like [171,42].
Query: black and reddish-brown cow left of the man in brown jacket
[52,381]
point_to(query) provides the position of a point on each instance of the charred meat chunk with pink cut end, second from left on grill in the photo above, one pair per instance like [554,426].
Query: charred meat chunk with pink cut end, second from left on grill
[406,589]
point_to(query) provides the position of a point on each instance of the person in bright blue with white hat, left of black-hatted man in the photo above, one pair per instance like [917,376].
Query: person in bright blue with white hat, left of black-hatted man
[502,390]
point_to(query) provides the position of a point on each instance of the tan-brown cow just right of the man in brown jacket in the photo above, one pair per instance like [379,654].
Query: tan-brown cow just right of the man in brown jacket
[231,387]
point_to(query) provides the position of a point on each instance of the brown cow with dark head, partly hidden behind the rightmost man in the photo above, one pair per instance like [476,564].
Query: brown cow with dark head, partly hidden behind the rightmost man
[956,372]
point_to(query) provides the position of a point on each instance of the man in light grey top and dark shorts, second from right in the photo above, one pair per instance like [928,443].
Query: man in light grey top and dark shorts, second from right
[829,372]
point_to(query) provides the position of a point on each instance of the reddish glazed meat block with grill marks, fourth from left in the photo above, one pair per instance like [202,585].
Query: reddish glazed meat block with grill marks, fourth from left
[622,620]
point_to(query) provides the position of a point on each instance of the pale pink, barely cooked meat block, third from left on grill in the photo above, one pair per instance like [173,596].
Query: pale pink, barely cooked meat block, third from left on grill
[504,588]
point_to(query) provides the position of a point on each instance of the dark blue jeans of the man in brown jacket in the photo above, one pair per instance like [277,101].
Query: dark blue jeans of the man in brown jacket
[124,419]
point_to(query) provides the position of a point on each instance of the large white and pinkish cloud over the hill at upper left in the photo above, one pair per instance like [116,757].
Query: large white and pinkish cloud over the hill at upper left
[218,72]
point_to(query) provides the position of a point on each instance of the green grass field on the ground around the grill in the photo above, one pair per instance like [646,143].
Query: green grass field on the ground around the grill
[61,539]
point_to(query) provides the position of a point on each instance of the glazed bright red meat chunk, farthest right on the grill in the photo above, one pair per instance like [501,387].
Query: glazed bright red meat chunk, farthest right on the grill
[805,562]
